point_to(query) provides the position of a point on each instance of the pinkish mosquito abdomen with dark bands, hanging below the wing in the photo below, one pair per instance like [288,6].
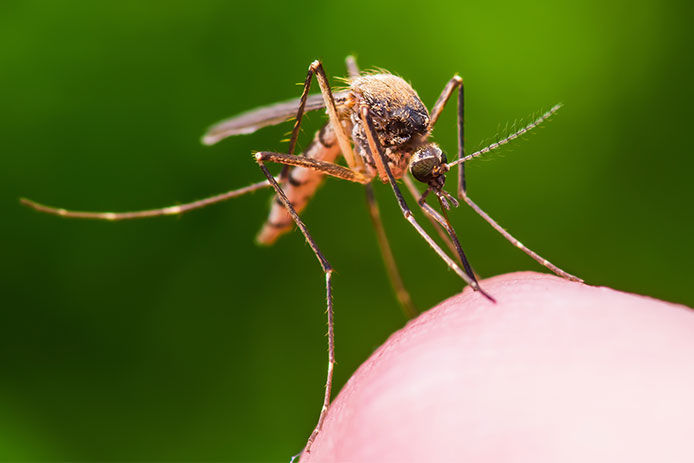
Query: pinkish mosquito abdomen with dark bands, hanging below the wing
[300,187]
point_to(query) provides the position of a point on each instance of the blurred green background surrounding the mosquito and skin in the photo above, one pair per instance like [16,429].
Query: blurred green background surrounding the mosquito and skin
[178,338]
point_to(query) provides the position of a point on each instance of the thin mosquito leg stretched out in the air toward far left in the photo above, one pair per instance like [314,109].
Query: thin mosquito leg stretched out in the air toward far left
[170,210]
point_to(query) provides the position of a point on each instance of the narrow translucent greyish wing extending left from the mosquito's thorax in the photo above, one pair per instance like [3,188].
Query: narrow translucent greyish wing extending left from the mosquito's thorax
[258,118]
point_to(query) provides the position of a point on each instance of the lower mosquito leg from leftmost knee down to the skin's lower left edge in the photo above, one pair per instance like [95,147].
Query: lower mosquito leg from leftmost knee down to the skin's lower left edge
[328,270]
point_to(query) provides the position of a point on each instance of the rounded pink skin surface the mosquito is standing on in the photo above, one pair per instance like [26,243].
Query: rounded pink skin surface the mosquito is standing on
[554,372]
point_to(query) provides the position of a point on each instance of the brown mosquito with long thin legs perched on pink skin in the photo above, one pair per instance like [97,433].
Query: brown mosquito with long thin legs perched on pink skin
[381,129]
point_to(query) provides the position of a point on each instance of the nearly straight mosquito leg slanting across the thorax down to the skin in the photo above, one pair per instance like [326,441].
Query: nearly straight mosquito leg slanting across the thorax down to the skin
[381,164]
